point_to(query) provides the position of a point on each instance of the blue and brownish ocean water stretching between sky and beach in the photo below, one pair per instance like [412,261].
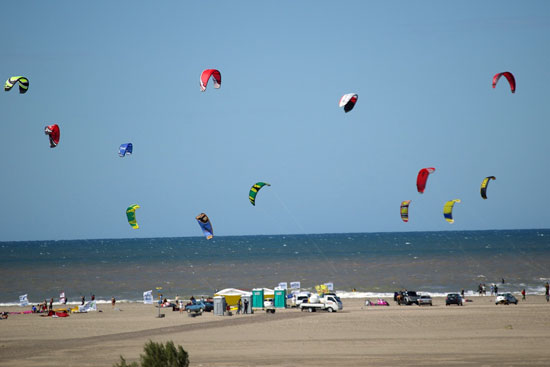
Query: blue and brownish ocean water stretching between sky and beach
[374,264]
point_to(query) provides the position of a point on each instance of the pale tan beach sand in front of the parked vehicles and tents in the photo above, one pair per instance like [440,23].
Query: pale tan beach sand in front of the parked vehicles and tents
[477,334]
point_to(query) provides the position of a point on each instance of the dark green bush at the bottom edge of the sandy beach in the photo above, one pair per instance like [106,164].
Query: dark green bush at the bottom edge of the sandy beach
[159,355]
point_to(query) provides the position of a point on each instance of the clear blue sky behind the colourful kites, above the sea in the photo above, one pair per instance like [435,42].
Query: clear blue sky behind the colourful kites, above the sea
[112,72]
